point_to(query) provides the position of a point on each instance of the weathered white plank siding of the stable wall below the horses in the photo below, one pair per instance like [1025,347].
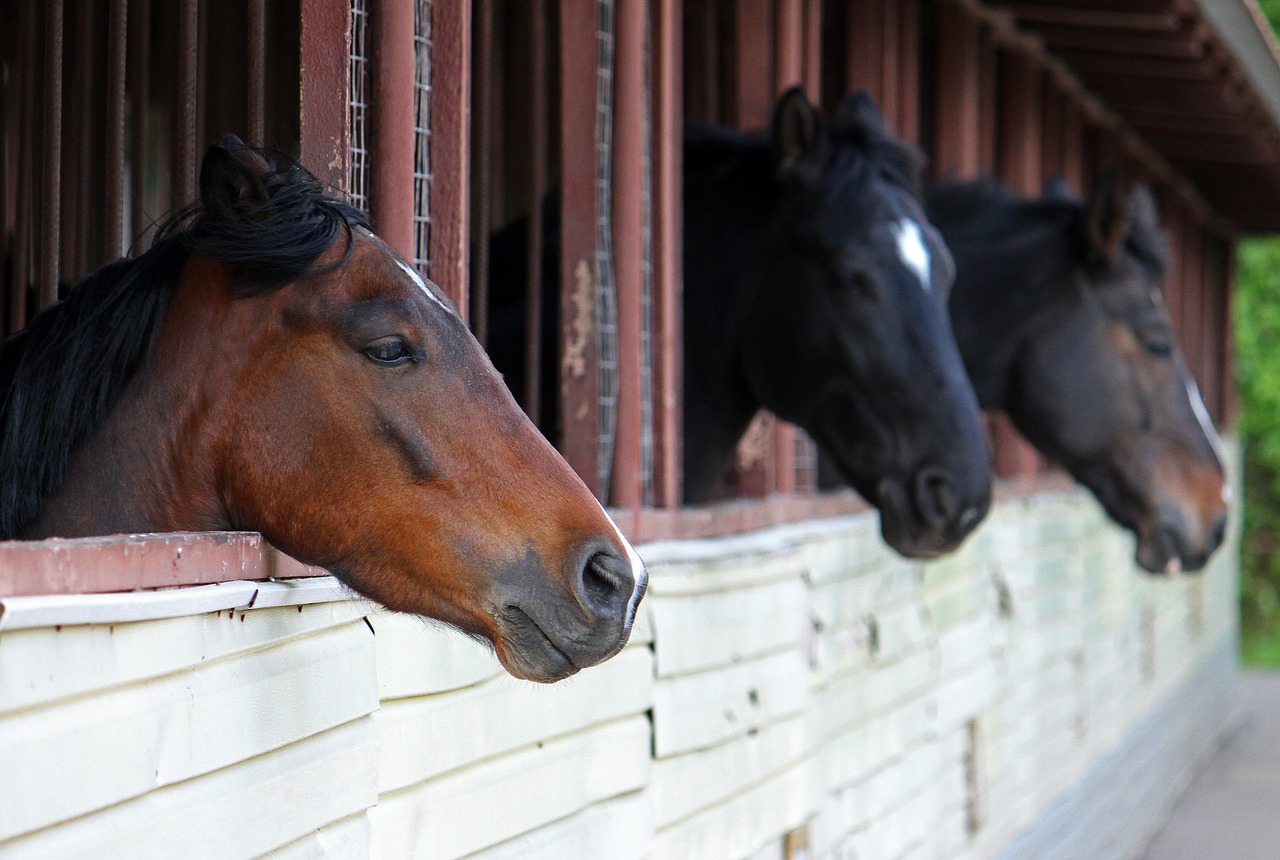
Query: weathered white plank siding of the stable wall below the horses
[788,692]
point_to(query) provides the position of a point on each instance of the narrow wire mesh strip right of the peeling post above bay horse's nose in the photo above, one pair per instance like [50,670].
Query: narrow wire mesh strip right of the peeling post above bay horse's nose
[607,307]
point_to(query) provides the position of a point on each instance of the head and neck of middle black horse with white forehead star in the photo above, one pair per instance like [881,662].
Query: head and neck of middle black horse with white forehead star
[816,287]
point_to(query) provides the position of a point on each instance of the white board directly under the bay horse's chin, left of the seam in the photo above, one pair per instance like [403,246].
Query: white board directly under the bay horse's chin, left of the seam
[428,737]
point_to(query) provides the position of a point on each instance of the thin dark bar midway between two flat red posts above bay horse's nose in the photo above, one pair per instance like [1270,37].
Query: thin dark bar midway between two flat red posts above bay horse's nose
[537,168]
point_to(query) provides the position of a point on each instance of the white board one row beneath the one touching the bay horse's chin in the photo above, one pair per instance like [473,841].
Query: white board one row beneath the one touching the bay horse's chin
[500,799]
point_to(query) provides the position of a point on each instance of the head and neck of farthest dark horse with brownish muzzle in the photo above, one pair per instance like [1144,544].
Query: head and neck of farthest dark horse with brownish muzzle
[1060,318]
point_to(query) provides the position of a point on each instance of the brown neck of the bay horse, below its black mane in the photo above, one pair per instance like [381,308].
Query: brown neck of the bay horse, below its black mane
[149,468]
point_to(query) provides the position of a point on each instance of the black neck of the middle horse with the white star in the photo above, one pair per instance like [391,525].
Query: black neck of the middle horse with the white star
[730,200]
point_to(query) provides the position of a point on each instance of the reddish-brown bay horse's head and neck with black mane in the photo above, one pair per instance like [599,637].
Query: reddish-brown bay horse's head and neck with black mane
[272,365]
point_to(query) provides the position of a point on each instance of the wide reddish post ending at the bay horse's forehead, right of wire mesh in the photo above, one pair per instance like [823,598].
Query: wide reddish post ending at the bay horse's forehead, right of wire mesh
[451,149]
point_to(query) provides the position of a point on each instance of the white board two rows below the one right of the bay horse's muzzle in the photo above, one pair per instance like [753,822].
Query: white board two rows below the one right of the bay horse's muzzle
[688,784]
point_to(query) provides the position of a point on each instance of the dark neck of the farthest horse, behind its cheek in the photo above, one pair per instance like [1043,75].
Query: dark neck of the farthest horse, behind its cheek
[1007,285]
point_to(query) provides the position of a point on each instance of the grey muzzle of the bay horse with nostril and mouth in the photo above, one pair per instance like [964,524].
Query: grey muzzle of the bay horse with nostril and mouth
[550,634]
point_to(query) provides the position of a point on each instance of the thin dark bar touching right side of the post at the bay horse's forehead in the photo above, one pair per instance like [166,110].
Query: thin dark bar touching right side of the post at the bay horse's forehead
[482,167]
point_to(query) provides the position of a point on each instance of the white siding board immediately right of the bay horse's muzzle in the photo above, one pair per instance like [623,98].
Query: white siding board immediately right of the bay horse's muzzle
[696,633]
